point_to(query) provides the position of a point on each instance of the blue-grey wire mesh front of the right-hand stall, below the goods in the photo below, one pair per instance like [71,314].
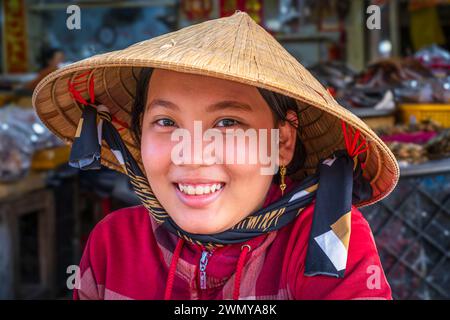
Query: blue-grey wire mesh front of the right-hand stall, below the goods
[411,228]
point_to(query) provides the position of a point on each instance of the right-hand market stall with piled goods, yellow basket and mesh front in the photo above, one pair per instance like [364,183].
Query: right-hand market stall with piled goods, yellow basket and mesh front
[406,101]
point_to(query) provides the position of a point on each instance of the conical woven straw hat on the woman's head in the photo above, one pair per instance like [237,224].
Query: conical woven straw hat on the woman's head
[234,48]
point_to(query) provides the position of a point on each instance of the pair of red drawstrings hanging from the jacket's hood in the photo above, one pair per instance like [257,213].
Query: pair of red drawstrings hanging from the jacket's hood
[173,268]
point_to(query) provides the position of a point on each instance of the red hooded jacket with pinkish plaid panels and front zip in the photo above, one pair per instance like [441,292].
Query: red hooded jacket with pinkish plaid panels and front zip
[129,256]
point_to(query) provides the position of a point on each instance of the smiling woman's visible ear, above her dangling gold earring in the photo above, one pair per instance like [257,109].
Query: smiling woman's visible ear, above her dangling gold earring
[288,136]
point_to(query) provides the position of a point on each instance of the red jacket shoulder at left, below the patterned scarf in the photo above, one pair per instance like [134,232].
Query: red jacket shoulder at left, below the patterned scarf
[115,245]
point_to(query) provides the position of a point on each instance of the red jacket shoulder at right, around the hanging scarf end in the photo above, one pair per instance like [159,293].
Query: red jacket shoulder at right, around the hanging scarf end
[362,259]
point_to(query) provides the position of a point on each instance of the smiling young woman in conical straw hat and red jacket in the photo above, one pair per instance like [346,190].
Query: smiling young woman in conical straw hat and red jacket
[212,227]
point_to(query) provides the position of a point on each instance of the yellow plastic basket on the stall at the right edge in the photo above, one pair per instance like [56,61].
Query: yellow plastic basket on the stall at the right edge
[440,113]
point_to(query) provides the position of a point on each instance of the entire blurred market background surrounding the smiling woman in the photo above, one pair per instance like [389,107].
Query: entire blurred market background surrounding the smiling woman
[391,69]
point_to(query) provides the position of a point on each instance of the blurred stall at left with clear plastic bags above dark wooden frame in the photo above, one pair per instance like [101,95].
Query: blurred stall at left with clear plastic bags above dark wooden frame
[47,209]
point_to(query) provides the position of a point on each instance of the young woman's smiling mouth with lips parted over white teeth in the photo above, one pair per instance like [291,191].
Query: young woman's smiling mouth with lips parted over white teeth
[198,195]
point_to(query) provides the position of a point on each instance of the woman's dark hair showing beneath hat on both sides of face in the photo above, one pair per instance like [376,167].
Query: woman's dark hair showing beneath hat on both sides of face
[279,103]
